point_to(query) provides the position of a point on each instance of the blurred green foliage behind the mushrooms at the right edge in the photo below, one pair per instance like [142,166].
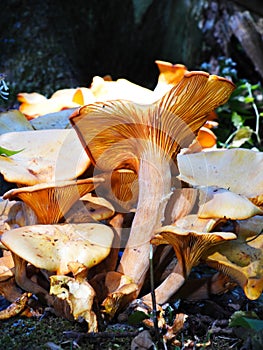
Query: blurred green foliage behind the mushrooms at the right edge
[240,119]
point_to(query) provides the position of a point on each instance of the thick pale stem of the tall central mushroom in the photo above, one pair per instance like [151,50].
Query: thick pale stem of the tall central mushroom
[154,191]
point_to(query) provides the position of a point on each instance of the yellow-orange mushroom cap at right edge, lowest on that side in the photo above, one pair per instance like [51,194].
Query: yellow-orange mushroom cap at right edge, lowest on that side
[243,262]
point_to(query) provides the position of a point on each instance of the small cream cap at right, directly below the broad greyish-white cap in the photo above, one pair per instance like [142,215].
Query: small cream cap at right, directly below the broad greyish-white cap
[217,202]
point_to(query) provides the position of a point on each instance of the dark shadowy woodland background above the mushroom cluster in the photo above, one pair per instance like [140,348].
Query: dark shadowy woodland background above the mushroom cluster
[52,44]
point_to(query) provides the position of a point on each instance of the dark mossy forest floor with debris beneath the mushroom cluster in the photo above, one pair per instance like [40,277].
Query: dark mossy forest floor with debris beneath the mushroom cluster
[206,327]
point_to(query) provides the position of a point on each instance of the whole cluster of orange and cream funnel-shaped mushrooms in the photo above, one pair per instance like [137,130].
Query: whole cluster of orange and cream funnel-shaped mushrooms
[137,169]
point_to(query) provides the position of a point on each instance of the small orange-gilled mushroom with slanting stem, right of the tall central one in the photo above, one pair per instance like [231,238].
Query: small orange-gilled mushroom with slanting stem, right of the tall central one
[190,247]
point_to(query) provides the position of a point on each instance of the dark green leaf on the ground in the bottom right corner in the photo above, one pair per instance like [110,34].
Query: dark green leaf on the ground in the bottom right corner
[246,319]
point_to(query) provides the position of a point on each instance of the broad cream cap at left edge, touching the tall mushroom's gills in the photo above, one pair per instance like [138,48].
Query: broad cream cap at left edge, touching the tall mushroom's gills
[47,155]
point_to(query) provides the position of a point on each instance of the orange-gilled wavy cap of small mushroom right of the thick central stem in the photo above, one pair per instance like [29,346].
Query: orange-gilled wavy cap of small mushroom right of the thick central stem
[189,246]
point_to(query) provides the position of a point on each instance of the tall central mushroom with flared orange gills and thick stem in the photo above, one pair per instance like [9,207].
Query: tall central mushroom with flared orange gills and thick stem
[121,134]
